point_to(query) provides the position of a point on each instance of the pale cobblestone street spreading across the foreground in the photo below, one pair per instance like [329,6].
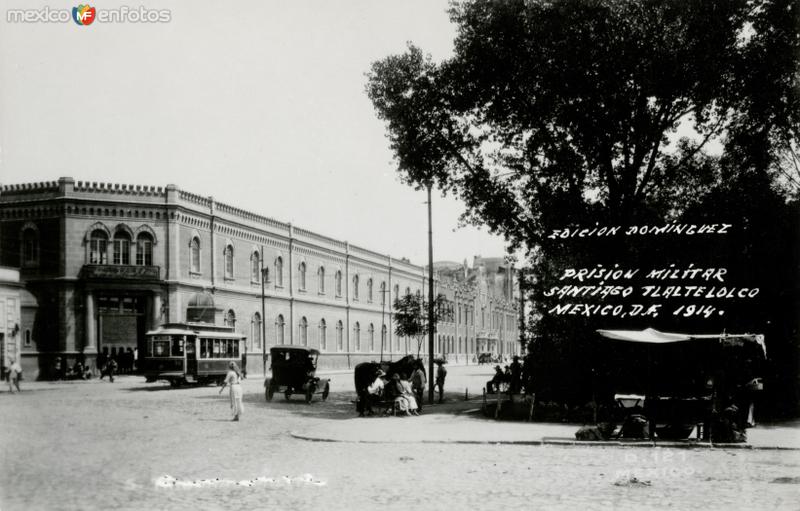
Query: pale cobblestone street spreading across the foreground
[98,445]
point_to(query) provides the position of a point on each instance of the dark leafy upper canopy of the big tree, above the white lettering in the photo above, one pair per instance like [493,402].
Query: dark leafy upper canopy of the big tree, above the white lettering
[553,113]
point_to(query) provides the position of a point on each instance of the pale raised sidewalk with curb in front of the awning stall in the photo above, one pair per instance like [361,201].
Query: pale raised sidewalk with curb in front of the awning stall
[473,428]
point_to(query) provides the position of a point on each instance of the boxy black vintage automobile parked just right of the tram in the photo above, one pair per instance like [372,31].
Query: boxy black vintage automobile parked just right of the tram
[294,371]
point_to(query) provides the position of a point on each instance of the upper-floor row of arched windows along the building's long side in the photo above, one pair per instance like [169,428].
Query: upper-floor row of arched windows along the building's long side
[257,272]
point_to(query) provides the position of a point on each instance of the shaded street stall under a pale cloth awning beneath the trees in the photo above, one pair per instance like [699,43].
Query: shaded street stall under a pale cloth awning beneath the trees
[682,382]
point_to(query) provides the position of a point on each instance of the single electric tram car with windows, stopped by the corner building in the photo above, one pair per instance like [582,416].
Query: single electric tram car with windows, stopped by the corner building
[191,353]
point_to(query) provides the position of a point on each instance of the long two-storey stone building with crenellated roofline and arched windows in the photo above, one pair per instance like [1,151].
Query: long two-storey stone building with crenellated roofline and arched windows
[101,264]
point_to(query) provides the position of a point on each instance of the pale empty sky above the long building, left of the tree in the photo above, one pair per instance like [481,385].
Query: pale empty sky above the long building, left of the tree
[260,104]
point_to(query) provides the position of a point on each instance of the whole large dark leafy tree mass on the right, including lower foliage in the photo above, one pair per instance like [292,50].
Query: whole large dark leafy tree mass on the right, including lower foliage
[584,112]
